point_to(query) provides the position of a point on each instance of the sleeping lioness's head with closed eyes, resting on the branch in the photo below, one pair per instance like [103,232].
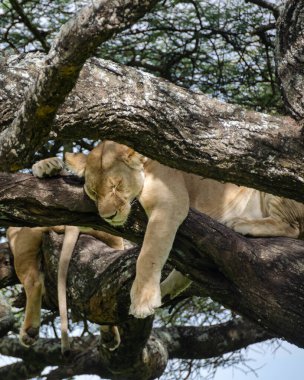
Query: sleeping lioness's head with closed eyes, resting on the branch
[114,177]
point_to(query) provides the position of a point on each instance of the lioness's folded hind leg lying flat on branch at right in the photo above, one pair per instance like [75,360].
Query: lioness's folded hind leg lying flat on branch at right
[265,227]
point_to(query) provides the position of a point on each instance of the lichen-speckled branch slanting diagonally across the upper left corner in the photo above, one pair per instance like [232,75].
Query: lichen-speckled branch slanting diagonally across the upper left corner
[76,41]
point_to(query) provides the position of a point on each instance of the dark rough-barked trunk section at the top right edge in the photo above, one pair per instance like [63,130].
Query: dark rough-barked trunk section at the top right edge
[290,56]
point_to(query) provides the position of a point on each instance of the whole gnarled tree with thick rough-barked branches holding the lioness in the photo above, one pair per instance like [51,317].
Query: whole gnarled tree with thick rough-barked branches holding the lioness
[70,97]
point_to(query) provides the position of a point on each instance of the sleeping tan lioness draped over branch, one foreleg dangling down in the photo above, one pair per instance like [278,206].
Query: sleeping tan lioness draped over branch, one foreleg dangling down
[115,175]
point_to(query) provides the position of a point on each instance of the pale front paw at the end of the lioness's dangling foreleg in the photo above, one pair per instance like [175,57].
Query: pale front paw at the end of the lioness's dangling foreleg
[145,298]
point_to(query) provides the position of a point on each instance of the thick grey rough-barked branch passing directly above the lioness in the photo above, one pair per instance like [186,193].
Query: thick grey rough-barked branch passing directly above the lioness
[196,133]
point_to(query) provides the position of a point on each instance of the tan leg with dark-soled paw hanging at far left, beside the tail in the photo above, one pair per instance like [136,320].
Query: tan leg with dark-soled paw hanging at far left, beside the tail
[25,244]
